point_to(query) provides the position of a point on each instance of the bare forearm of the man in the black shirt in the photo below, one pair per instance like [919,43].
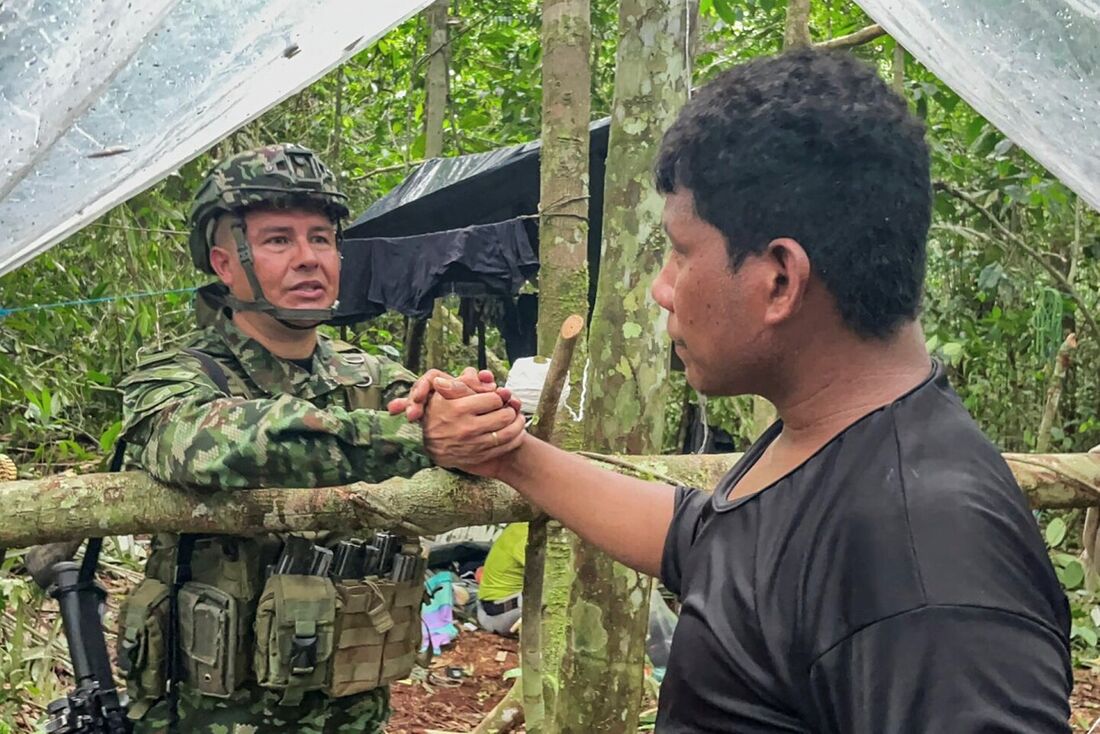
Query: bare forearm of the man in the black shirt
[626,518]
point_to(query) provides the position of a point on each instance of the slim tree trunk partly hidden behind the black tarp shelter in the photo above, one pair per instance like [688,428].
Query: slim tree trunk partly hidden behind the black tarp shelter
[435,111]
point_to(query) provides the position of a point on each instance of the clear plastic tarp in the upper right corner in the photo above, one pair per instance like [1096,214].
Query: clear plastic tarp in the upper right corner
[1031,68]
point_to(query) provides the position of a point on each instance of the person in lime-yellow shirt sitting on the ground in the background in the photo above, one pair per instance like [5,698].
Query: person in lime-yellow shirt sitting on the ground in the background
[500,596]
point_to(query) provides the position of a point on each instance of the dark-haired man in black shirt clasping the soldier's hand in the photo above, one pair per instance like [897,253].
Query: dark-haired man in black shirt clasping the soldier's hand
[871,566]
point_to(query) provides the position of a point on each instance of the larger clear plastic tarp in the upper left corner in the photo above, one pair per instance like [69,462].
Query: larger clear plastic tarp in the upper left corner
[100,101]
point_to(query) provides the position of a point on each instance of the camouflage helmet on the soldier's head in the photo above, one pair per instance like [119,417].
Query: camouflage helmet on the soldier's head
[281,176]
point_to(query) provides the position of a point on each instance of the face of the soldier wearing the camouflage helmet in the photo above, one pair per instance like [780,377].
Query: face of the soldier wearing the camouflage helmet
[294,254]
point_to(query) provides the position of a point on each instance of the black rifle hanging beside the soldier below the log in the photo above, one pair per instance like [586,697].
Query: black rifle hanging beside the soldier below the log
[94,707]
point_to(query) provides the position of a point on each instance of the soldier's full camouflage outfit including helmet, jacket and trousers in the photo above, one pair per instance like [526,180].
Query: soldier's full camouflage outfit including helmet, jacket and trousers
[280,426]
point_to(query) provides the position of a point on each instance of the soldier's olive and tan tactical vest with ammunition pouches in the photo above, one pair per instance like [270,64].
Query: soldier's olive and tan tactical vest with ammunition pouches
[225,612]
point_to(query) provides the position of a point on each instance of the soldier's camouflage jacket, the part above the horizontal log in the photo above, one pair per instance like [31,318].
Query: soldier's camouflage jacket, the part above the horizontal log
[283,428]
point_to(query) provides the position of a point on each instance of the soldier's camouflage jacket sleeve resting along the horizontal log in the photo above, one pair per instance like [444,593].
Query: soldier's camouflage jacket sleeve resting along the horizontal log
[184,431]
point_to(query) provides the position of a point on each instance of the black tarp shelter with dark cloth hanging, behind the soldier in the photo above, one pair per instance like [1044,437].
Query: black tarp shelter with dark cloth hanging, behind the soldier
[476,212]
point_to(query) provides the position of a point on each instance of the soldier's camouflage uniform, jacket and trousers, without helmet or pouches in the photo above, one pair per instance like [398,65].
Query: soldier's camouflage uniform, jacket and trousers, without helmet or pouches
[282,428]
